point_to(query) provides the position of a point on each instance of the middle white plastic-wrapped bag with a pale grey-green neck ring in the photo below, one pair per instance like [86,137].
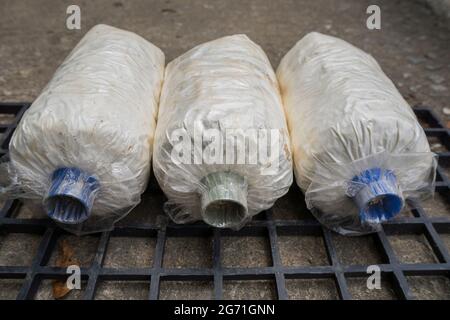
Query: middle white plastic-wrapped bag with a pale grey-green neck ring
[222,149]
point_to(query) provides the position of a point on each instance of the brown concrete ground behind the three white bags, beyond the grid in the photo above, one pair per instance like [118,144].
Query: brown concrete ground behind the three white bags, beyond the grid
[411,47]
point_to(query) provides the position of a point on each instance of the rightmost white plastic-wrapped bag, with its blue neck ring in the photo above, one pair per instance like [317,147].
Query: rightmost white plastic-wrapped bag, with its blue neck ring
[358,148]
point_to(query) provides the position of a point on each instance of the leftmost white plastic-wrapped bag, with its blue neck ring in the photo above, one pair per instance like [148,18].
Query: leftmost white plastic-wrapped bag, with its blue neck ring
[84,146]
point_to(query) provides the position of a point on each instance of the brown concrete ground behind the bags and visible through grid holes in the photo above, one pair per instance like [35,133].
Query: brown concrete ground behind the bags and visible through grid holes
[412,47]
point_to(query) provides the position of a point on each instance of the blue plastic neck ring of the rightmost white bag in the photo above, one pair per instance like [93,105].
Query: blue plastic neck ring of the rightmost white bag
[379,197]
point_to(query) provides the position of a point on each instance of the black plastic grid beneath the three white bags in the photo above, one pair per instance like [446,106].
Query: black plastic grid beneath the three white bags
[265,225]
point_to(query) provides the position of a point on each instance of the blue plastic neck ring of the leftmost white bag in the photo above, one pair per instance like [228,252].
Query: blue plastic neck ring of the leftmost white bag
[71,195]
